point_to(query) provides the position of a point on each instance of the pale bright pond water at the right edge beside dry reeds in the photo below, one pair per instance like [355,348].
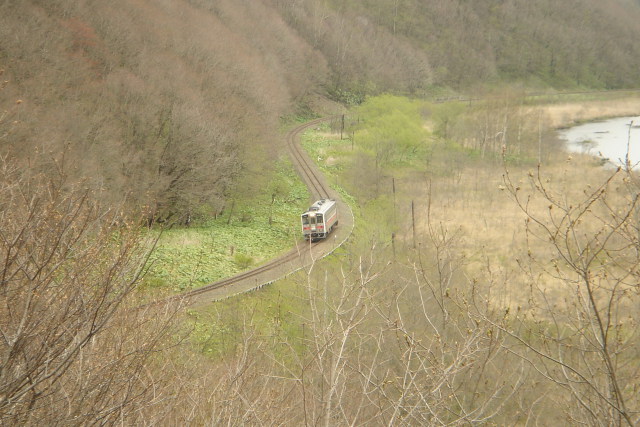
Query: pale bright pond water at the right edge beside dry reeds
[608,139]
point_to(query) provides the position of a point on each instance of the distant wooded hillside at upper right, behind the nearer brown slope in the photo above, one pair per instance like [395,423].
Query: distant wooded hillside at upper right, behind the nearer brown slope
[413,46]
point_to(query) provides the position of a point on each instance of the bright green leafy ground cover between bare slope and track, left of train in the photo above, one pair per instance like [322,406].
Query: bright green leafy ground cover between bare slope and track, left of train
[190,257]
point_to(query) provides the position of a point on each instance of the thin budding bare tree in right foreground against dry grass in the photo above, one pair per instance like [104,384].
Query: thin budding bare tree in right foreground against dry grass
[583,265]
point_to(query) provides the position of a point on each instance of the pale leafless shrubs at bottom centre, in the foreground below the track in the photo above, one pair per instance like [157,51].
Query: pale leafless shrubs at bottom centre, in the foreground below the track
[379,343]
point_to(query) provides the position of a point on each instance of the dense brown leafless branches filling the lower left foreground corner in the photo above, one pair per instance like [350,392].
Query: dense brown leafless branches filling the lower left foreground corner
[72,348]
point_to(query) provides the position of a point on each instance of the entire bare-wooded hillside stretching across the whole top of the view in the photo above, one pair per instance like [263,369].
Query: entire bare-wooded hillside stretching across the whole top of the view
[167,104]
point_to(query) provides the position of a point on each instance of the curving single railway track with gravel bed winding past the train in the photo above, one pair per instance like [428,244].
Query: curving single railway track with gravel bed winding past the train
[304,254]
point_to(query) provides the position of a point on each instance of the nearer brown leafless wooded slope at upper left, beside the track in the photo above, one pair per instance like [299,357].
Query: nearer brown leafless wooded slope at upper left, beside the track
[159,102]
